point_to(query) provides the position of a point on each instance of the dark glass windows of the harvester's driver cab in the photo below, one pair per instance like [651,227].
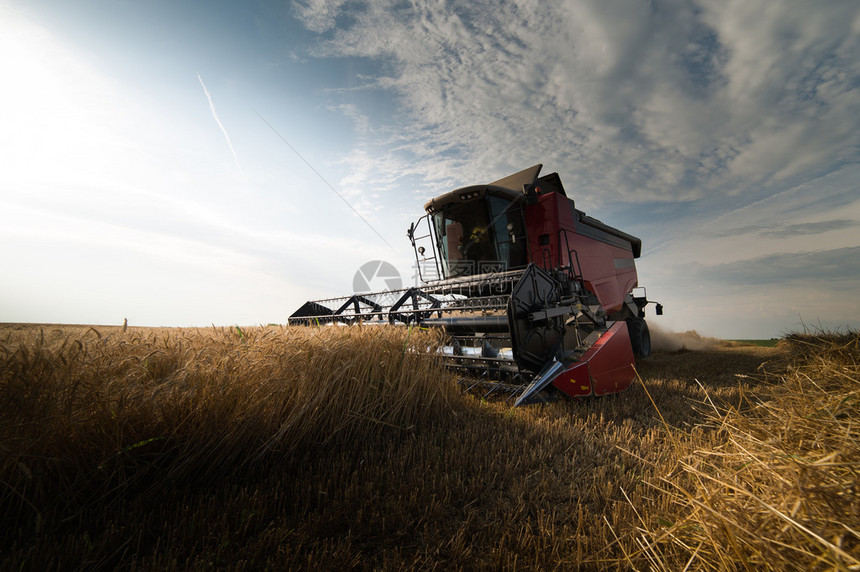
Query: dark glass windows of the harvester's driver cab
[480,236]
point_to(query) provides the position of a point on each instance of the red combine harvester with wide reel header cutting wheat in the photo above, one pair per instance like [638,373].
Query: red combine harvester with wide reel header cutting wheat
[532,293]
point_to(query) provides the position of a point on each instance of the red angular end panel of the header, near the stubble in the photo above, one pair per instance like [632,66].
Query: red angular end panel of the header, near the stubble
[607,367]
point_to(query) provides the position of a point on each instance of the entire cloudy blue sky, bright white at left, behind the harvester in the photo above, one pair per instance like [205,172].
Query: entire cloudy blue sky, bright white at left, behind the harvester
[140,179]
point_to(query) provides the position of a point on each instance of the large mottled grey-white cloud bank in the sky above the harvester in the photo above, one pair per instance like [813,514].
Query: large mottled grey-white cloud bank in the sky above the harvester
[630,101]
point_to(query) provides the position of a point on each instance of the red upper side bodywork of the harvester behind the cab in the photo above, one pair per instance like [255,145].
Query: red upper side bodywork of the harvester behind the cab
[607,270]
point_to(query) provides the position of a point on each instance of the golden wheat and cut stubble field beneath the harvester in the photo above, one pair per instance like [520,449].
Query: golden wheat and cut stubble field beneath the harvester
[332,448]
